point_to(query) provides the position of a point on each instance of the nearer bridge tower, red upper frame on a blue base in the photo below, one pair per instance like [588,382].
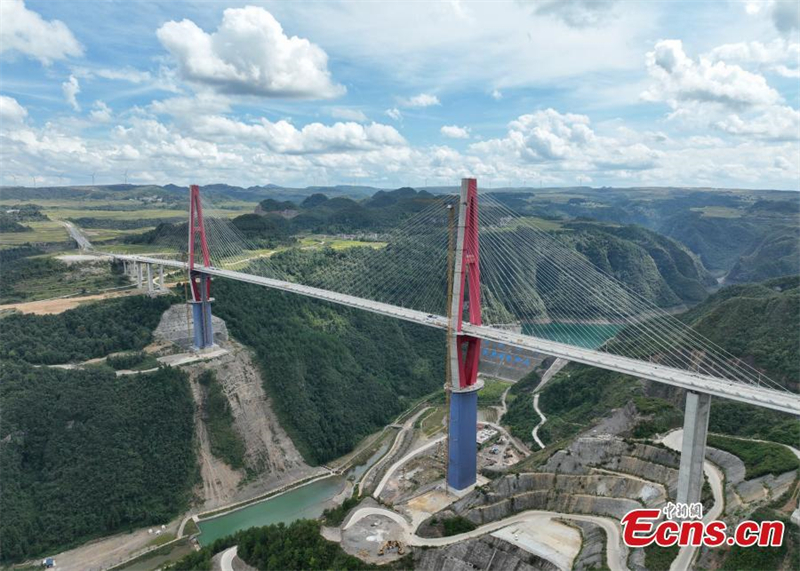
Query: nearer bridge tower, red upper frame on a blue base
[463,350]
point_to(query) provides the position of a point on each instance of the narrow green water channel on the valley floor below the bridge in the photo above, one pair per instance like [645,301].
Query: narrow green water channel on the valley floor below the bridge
[304,502]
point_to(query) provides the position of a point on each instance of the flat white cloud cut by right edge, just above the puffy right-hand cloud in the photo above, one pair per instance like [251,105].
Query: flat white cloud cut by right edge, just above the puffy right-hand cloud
[779,56]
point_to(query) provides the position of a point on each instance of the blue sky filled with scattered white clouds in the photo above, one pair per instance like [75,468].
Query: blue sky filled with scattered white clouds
[560,92]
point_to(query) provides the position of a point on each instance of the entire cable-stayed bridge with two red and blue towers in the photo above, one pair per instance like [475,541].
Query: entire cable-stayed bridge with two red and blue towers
[479,271]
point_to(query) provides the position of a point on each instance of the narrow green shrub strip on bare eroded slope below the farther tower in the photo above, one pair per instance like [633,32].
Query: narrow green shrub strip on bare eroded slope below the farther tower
[224,441]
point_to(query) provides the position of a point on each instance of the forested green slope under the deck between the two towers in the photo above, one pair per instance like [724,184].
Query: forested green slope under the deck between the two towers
[335,374]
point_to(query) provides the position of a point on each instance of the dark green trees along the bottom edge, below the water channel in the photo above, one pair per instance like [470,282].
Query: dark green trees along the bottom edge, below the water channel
[279,547]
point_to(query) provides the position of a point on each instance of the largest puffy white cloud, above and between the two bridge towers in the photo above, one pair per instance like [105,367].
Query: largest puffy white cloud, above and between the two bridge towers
[250,54]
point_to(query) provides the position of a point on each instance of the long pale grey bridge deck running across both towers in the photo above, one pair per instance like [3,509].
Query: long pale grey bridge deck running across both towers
[756,395]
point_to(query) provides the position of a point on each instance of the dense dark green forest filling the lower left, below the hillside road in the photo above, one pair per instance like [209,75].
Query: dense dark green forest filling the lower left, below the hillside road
[85,453]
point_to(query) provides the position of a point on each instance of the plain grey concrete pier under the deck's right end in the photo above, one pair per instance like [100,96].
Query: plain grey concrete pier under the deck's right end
[693,449]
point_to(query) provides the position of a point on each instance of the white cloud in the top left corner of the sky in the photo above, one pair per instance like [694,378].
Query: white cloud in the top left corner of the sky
[25,31]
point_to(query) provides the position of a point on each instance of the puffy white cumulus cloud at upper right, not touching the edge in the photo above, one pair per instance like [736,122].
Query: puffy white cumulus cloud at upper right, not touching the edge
[679,79]
